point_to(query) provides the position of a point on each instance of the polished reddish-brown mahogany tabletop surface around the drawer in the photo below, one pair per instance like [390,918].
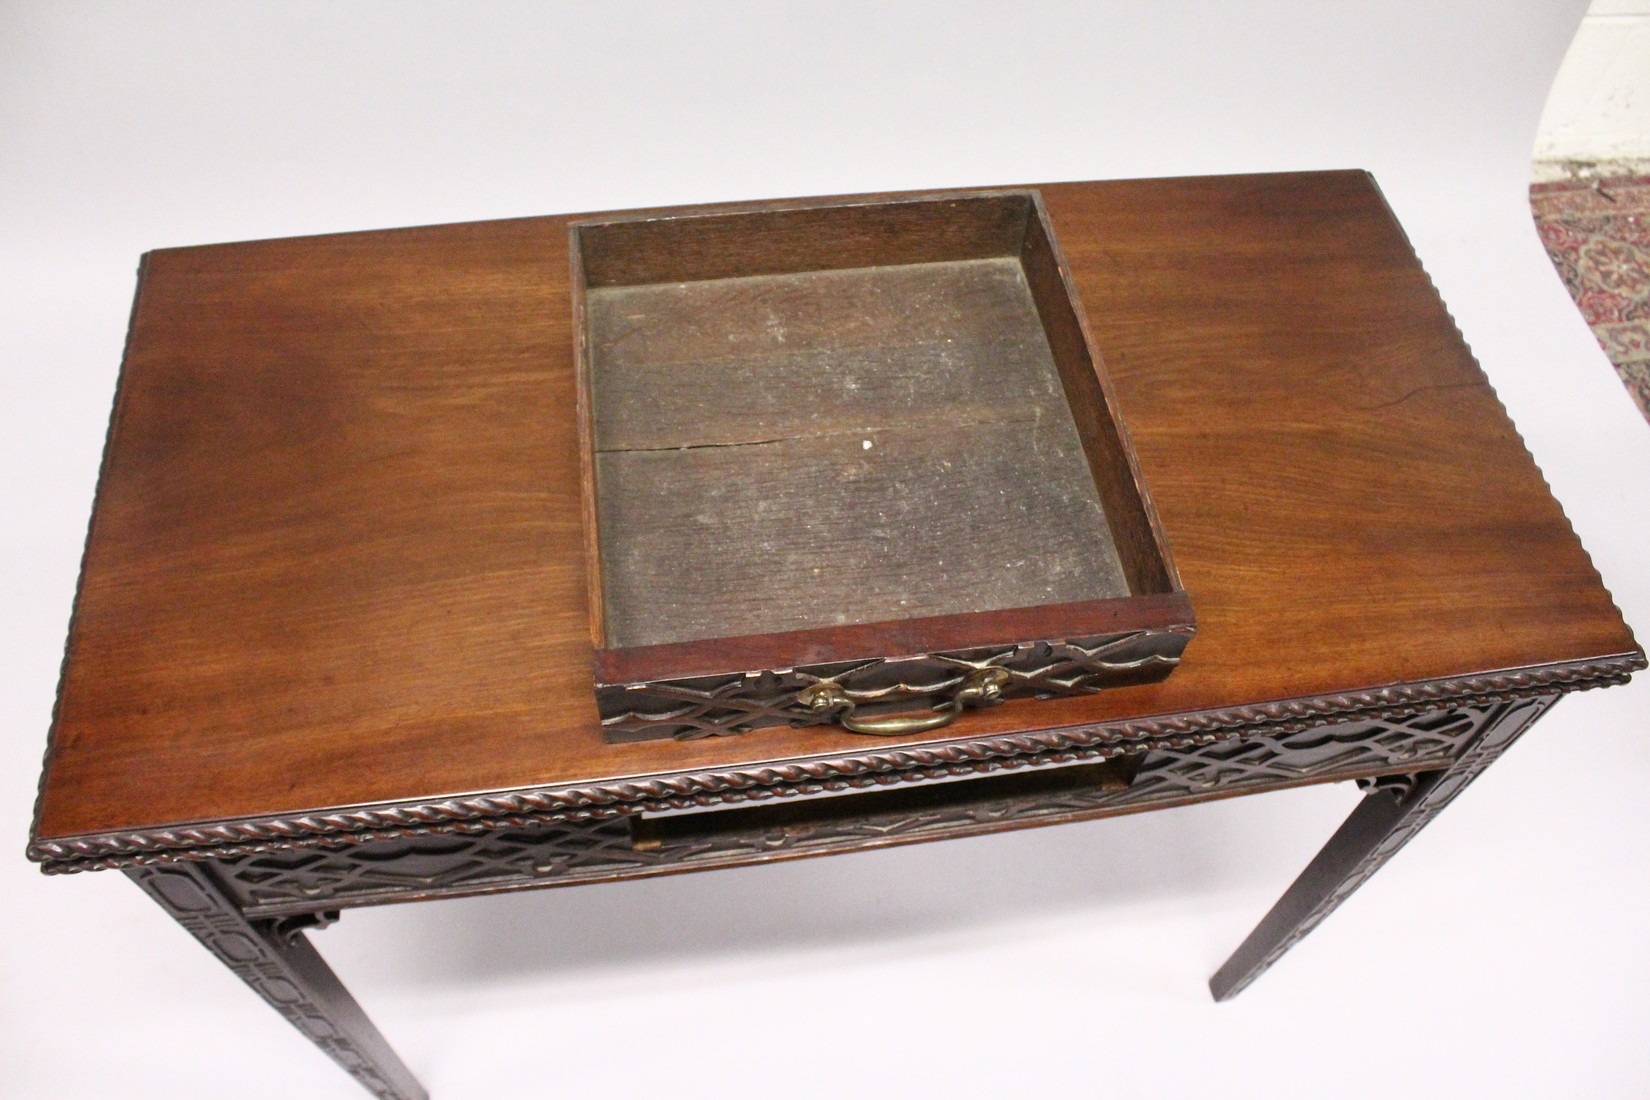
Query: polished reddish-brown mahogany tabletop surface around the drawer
[336,557]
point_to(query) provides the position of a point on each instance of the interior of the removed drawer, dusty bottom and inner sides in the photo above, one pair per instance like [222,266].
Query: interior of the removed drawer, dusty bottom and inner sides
[847,415]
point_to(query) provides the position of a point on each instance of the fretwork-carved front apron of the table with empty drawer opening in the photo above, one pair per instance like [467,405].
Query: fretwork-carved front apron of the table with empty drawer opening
[1090,783]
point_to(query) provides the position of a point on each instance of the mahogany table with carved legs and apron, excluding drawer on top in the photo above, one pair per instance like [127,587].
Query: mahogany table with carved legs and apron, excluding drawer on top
[331,646]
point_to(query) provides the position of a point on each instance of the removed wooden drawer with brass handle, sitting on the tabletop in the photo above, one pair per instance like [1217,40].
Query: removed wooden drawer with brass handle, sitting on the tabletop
[854,463]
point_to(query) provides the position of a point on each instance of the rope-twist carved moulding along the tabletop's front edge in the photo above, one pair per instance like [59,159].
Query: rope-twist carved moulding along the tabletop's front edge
[809,776]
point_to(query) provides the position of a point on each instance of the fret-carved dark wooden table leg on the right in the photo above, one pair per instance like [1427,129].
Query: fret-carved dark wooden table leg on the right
[1390,814]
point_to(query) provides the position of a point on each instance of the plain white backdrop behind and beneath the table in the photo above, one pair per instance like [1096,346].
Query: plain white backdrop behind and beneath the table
[1502,954]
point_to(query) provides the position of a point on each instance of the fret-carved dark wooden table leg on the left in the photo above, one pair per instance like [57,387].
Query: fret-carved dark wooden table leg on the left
[283,969]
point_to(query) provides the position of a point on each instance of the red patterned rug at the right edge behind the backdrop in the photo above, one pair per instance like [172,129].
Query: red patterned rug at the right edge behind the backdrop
[1598,233]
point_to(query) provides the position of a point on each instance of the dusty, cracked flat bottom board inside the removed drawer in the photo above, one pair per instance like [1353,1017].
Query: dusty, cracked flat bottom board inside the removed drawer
[836,448]
